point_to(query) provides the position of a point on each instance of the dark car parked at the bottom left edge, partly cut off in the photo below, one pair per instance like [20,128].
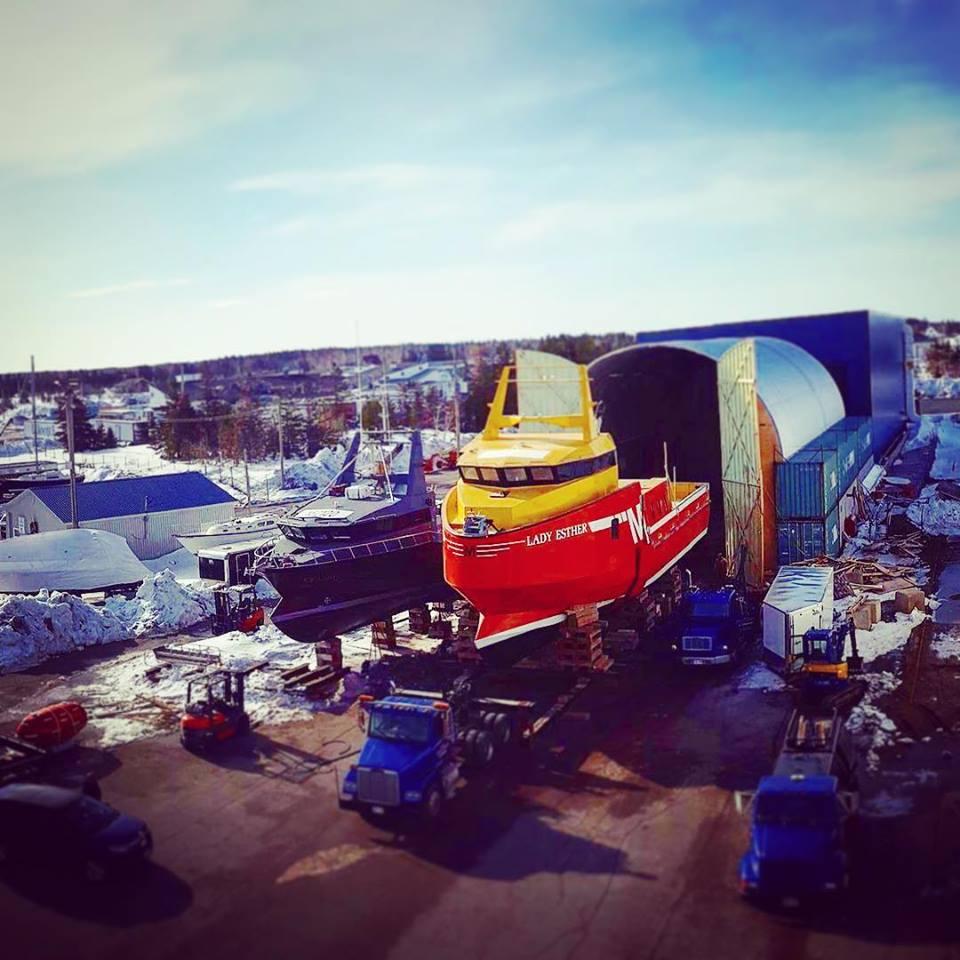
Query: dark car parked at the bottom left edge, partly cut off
[57,826]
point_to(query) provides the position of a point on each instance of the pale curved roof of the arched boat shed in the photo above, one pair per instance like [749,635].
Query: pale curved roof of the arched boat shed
[801,396]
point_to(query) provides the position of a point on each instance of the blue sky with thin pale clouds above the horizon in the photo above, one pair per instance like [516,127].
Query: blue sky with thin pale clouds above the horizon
[189,180]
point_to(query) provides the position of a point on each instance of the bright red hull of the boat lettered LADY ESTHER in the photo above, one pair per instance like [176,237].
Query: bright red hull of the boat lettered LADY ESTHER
[526,578]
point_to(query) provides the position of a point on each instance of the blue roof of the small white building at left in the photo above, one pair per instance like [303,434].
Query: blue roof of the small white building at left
[135,495]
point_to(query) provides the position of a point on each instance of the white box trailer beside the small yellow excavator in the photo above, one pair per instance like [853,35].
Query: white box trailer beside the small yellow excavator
[799,599]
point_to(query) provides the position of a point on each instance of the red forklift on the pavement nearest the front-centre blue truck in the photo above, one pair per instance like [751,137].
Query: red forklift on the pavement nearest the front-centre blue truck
[215,709]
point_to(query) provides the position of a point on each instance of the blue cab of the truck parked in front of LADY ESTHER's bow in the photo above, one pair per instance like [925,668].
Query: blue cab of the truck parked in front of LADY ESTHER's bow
[409,760]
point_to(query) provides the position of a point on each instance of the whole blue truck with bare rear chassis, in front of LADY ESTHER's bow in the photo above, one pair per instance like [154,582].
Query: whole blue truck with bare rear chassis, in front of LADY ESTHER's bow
[419,742]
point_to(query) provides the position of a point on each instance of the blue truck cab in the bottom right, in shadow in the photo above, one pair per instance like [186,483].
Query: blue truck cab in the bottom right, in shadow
[797,843]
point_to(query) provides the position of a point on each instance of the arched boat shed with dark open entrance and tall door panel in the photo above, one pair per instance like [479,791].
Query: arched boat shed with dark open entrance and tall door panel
[728,411]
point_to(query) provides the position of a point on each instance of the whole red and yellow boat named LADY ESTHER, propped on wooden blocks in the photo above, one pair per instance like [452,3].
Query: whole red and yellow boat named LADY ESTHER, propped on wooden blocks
[541,522]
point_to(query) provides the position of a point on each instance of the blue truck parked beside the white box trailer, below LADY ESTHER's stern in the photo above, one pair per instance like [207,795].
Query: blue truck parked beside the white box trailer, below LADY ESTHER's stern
[714,627]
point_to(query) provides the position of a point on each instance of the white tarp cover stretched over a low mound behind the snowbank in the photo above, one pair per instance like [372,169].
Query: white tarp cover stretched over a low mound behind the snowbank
[67,560]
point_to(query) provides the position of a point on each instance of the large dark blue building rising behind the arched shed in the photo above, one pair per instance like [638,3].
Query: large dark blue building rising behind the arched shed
[864,351]
